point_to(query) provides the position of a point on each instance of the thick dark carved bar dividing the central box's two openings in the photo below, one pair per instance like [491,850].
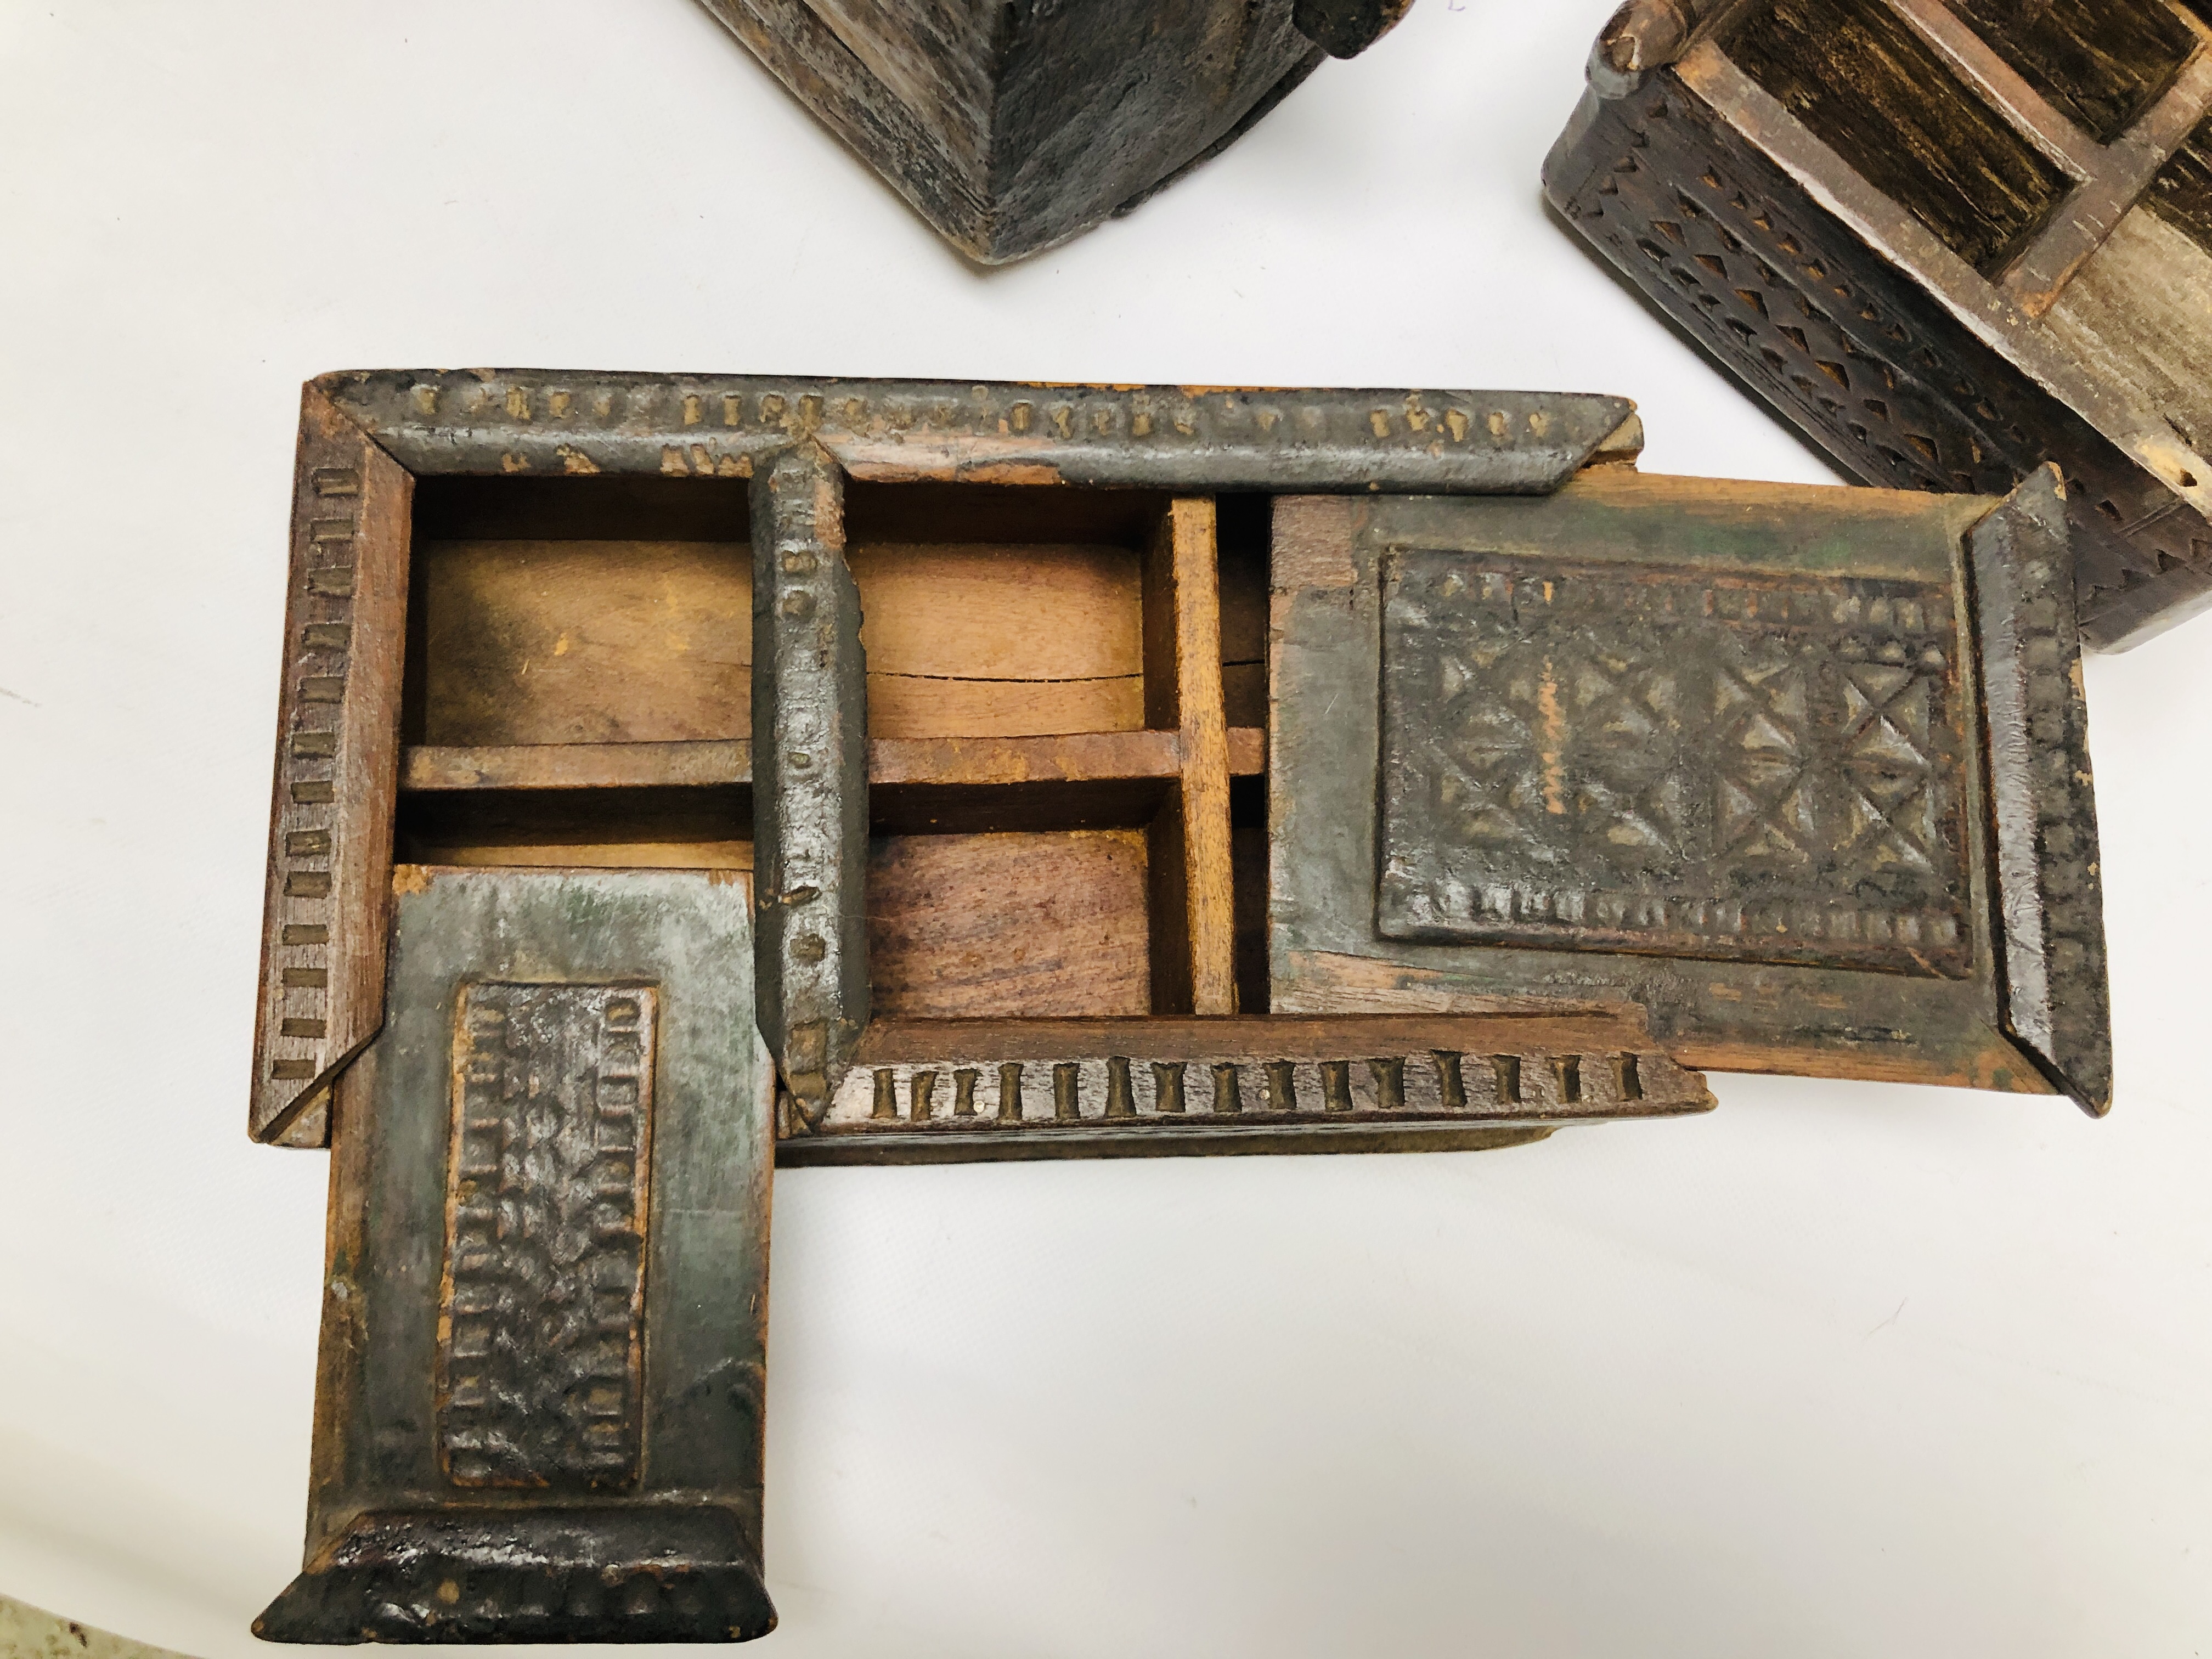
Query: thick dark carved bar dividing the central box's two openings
[811,778]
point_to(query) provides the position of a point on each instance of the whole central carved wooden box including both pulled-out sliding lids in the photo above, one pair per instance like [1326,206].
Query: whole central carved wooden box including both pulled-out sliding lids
[691,775]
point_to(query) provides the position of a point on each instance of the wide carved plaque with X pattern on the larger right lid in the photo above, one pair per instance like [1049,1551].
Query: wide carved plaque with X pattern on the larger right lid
[1660,760]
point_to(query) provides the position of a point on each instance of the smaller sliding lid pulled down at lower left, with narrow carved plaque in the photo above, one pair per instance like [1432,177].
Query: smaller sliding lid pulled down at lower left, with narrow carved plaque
[541,1388]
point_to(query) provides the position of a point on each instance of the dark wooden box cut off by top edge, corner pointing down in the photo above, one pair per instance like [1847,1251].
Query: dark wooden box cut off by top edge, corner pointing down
[1014,127]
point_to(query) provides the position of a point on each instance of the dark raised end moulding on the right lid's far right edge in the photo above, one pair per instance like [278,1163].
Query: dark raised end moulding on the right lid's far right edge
[2058,1003]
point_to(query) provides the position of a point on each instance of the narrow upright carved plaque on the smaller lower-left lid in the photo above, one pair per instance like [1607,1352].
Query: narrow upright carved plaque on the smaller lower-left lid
[541,1322]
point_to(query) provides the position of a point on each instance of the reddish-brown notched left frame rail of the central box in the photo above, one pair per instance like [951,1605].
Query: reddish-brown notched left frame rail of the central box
[328,893]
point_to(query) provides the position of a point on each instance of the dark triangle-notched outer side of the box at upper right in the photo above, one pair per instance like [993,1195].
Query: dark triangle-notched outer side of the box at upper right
[1837,342]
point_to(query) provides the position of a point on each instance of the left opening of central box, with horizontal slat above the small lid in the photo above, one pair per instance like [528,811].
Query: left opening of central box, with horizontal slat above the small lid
[578,680]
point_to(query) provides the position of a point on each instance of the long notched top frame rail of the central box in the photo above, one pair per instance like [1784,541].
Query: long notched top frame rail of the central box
[1178,439]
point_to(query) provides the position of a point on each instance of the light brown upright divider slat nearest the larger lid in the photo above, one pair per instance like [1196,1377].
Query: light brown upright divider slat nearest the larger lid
[1209,884]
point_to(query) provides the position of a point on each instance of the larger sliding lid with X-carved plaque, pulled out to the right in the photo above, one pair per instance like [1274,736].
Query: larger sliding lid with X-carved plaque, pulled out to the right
[1713,749]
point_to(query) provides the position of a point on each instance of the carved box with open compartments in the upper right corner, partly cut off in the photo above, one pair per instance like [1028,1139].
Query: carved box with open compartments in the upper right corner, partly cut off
[1948,238]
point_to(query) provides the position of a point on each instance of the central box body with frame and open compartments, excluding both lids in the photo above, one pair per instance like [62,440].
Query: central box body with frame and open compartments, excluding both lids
[970,682]
